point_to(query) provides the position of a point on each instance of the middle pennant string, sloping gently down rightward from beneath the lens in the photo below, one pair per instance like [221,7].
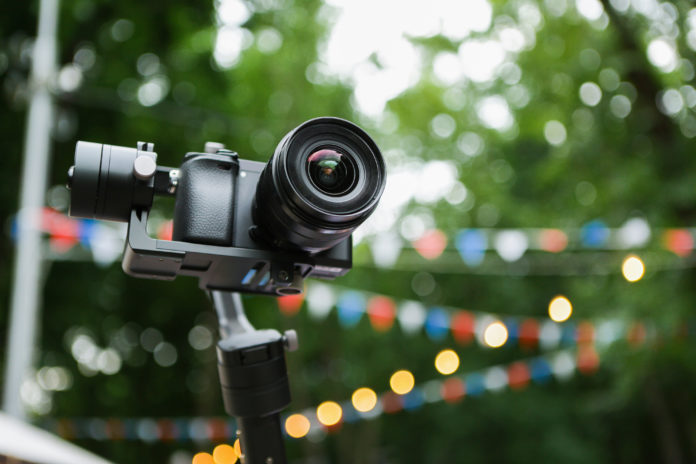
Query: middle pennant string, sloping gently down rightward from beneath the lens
[465,326]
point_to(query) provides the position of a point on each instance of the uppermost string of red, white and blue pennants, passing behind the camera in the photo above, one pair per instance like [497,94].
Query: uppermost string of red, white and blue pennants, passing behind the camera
[105,239]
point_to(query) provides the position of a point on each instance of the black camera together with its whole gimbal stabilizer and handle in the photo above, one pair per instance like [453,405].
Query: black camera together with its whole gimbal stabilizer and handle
[241,226]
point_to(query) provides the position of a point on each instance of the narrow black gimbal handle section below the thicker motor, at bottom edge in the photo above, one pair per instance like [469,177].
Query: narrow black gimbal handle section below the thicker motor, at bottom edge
[261,440]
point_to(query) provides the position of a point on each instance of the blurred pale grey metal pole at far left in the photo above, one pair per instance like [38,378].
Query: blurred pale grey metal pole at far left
[26,286]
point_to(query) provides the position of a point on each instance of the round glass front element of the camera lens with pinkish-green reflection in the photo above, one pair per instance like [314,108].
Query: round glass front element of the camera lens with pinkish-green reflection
[331,171]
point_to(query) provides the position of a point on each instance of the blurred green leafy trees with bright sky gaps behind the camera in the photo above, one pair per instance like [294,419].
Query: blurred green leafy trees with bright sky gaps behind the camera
[181,73]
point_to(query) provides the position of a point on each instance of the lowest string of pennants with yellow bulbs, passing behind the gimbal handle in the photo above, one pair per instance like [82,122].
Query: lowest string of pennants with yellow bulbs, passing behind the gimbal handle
[365,404]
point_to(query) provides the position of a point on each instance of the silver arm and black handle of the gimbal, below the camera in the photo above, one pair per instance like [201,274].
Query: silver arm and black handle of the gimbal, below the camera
[254,379]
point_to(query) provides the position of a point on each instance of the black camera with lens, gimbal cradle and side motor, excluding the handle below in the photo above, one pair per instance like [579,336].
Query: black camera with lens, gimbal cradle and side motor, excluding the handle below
[239,225]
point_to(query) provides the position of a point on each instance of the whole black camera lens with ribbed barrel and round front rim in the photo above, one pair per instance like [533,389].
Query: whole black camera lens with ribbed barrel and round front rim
[324,179]
